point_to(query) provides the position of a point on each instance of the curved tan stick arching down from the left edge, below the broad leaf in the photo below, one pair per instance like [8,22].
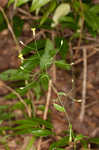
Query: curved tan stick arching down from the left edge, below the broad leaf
[19,97]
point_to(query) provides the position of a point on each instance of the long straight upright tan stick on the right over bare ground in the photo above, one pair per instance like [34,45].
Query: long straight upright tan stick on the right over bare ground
[82,113]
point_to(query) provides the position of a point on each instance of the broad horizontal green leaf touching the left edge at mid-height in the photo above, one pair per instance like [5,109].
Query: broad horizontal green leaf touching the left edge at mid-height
[14,75]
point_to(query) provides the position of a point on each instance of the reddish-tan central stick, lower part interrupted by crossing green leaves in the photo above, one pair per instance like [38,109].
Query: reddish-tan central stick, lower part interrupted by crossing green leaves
[46,110]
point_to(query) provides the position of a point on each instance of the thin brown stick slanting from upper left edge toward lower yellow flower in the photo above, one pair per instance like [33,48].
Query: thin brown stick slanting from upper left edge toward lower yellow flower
[10,28]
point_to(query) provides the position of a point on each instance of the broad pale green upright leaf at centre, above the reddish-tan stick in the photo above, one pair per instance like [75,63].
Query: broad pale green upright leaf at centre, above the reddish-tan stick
[47,58]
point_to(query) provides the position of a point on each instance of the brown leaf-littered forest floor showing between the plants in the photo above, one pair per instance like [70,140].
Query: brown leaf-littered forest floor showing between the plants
[90,125]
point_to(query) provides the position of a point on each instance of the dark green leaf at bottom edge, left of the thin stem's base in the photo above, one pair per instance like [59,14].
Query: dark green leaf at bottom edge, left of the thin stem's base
[62,142]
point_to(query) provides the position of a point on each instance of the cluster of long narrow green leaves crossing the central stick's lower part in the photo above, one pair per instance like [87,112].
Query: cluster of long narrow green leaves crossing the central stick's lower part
[32,126]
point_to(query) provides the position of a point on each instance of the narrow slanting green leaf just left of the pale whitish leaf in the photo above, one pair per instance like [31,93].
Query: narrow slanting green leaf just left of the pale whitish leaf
[48,12]
